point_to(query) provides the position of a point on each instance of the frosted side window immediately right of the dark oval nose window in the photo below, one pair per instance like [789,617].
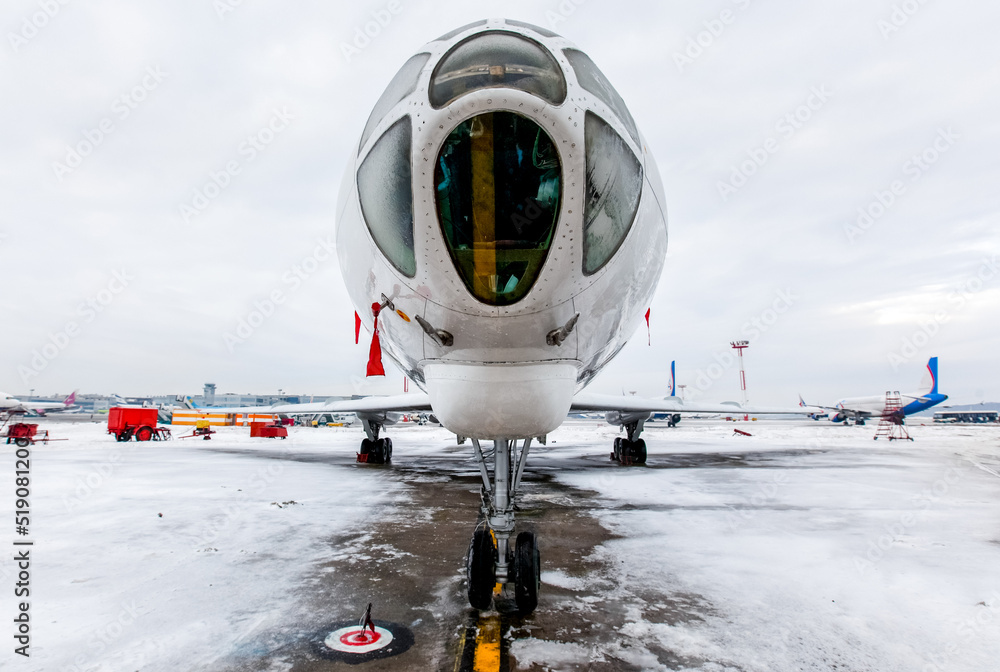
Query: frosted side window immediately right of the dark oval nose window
[614,185]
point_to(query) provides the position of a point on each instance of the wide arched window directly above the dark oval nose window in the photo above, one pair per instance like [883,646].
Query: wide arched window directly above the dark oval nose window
[497,59]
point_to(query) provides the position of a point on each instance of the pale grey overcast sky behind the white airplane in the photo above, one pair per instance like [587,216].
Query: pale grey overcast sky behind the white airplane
[132,297]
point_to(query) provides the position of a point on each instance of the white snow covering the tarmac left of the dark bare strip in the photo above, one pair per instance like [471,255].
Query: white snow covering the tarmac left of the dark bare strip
[150,556]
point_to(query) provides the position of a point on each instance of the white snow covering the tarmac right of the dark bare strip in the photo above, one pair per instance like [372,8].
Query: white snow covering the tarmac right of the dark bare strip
[811,547]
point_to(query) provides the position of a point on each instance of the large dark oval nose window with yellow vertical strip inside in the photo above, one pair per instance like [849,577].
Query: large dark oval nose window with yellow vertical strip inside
[498,185]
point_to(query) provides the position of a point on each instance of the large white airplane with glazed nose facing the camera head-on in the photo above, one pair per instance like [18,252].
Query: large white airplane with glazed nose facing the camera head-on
[501,229]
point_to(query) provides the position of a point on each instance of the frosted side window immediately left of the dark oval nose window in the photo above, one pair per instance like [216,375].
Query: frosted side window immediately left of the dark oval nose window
[385,190]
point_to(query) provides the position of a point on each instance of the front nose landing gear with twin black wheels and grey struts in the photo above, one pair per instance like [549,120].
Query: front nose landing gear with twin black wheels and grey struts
[491,560]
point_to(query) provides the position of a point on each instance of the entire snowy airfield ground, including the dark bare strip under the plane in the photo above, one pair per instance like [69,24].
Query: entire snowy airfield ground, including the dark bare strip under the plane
[807,546]
